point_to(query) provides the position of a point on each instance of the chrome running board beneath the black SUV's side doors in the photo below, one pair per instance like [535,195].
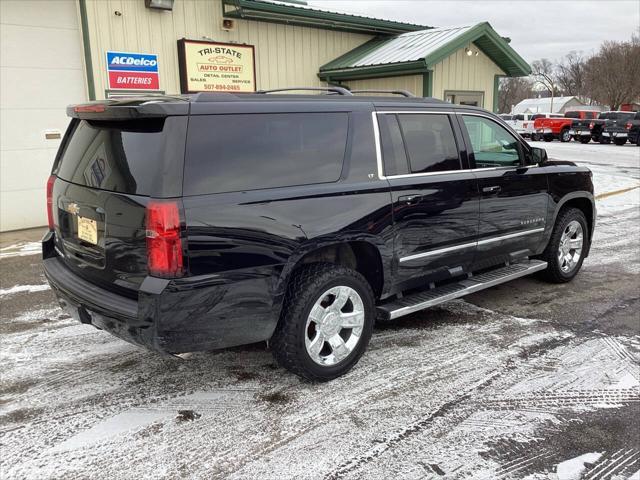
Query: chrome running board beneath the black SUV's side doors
[419,301]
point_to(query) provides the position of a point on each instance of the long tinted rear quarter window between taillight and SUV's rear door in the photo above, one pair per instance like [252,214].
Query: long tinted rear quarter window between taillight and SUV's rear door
[227,153]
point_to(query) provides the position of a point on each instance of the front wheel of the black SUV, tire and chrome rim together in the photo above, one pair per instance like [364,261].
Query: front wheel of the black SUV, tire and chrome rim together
[566,248]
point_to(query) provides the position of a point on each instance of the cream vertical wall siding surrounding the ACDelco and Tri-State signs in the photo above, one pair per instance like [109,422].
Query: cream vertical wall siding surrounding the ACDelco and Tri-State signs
[285,55]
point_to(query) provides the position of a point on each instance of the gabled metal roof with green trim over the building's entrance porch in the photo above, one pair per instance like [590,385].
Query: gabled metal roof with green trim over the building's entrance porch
[418,51]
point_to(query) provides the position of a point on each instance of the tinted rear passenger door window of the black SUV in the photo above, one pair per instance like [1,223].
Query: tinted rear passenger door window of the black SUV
[429,142]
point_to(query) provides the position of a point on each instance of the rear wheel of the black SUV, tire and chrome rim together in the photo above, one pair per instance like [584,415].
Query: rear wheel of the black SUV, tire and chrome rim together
[326,322]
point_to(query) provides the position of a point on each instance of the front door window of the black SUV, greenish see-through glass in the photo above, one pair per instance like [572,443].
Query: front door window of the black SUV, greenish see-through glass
[493,145]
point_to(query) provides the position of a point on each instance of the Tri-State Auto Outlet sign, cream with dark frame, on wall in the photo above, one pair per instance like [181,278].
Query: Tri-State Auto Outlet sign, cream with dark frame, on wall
[216,67]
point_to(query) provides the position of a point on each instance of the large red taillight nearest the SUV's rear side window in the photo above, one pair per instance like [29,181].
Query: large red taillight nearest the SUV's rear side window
[164,245]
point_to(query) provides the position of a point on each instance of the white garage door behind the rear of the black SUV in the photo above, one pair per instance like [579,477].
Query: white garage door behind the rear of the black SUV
[41,72]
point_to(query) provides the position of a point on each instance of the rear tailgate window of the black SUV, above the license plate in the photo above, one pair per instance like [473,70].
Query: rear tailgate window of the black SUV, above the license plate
[119,156]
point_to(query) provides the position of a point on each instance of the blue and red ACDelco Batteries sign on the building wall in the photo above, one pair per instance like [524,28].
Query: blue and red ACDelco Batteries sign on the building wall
[132,71]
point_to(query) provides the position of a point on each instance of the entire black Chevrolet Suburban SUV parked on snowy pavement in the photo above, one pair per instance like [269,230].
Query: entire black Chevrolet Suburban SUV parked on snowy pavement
[193,223]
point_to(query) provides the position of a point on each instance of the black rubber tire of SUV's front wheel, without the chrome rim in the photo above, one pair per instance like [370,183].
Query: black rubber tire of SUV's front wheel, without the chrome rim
[553,272]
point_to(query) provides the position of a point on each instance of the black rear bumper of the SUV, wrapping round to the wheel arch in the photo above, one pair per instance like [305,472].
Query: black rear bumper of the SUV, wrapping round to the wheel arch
[172,316]
